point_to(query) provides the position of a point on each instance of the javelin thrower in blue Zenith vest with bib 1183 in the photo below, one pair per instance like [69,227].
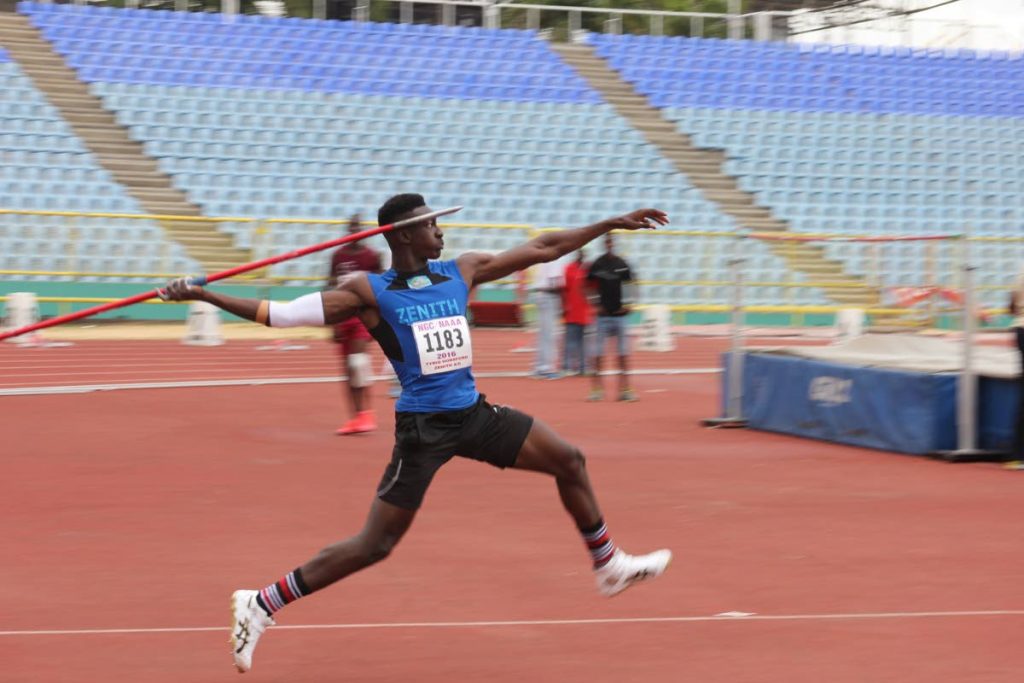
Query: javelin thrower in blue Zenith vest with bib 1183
[417,314]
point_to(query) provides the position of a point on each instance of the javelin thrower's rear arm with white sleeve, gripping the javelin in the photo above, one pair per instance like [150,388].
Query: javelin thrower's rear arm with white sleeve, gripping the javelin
[313,310]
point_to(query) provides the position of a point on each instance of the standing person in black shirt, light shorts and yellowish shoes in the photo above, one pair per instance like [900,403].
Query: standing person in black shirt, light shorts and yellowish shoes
[614,280]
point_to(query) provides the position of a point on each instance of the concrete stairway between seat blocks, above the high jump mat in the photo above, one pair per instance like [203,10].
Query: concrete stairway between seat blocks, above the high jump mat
[704,167]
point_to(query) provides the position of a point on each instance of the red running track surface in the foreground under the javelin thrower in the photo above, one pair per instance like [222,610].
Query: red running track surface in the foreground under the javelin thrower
[144,510]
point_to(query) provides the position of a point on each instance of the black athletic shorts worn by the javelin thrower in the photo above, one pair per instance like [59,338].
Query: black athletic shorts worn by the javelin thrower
[424,442]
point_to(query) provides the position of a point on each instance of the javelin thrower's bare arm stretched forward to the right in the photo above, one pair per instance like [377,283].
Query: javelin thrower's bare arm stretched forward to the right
[549,246]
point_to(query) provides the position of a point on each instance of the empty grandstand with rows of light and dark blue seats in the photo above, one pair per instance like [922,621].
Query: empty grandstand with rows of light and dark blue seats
[263,118]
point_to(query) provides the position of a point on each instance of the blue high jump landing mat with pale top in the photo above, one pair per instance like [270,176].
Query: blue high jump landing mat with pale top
[891,393]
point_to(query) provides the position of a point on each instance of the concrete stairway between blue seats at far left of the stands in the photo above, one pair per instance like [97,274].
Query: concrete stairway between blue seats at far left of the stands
[120,155]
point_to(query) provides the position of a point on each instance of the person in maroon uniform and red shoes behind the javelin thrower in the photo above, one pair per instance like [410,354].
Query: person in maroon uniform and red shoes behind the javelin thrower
[352,336]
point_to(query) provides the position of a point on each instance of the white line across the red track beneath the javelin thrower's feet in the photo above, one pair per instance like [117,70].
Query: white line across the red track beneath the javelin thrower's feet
[543,623]
